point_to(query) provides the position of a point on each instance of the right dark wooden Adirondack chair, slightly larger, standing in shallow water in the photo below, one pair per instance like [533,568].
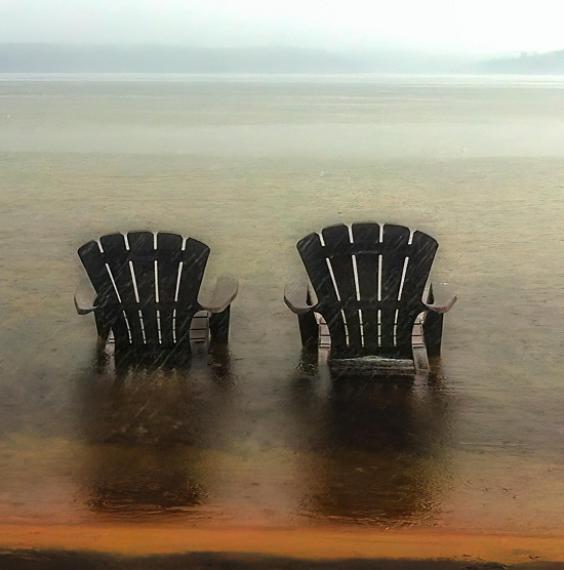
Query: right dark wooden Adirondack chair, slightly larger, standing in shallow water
[368,297]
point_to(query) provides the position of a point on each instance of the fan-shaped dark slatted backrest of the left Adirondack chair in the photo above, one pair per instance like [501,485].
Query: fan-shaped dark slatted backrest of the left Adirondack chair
[147,284]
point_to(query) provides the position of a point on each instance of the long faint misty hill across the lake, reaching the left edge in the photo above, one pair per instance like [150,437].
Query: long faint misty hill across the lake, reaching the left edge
[39,58]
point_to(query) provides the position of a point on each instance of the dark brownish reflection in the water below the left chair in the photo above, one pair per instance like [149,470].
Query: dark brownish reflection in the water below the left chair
[146,428]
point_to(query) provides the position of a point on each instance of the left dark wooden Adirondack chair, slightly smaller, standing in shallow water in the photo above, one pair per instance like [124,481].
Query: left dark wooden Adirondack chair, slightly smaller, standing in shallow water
[146,288]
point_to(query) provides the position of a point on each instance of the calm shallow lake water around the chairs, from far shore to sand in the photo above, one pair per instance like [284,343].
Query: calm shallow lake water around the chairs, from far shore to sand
[261,435]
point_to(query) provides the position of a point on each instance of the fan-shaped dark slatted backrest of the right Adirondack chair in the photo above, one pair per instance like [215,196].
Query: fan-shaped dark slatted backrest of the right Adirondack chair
[369,280]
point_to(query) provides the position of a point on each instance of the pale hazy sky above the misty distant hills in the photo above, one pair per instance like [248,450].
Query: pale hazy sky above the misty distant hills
[461,26]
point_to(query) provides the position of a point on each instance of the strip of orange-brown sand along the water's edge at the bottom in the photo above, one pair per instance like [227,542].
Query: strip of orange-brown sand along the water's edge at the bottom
[330,543]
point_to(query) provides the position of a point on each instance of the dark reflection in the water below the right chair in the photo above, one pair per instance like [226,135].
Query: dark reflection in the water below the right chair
[373,453]
